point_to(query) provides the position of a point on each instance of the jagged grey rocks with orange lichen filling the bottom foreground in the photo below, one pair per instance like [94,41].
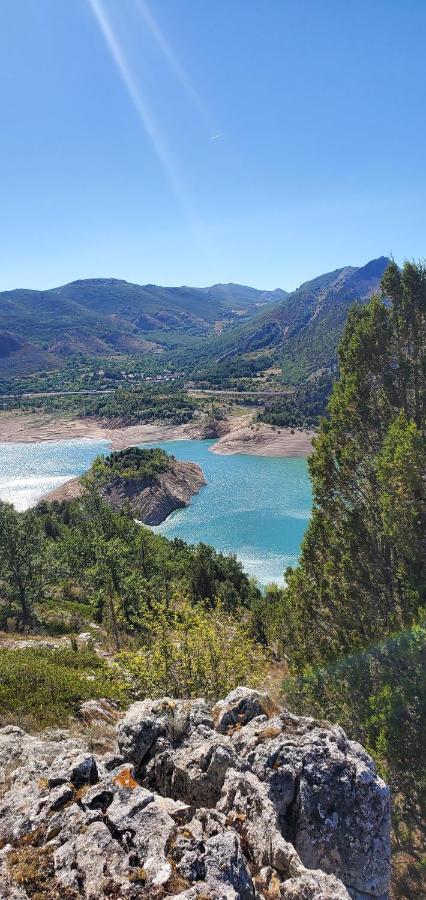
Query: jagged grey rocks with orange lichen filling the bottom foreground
[235,802]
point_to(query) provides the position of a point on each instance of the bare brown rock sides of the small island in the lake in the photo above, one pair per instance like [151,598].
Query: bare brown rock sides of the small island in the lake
[151,499]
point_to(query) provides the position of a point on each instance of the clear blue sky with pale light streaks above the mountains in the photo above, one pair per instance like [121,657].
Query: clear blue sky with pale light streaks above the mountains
[195,141]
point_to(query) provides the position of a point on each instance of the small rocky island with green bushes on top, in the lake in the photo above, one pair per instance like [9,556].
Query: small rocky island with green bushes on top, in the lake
[151,482]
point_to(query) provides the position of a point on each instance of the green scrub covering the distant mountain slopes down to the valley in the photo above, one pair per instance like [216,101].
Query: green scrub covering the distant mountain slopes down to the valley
[224,336]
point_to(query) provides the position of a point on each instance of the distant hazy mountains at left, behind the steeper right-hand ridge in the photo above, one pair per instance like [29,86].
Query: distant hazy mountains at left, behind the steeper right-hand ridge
[101,316]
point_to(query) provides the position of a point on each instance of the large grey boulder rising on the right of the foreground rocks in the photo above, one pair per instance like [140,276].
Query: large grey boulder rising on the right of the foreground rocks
[308,795]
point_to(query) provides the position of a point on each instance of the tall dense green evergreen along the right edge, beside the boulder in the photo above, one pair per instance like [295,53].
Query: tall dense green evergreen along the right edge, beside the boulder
[361,580]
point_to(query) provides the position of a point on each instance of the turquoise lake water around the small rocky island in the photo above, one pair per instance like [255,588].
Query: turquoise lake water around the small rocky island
[256,507]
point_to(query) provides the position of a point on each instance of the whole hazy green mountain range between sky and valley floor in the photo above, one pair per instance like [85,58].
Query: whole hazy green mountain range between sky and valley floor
[106,316]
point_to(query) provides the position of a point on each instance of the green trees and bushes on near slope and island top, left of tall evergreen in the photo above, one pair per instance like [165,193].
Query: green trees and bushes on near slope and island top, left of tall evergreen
[177,617]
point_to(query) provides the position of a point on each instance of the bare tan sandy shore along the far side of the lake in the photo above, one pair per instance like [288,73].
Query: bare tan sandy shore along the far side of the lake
[257,439]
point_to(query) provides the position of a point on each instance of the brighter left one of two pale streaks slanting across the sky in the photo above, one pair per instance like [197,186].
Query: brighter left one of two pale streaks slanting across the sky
[140,104]
